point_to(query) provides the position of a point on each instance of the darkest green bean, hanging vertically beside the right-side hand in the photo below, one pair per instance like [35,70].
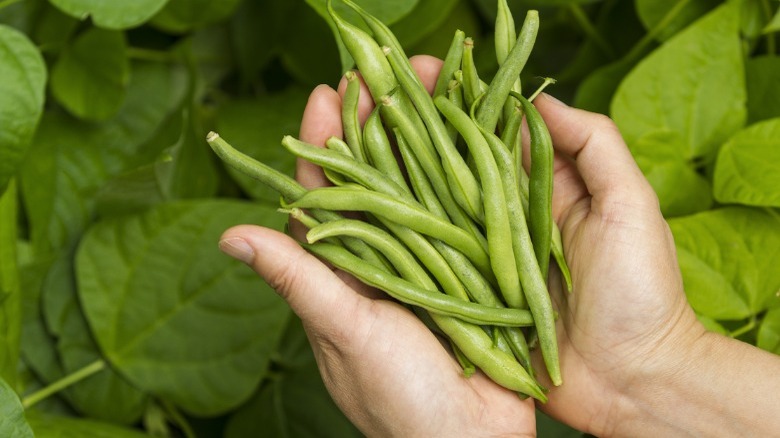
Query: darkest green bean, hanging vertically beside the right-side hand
[540,185]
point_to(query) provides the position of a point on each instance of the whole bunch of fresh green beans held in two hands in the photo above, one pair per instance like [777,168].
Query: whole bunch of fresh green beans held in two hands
[452,225]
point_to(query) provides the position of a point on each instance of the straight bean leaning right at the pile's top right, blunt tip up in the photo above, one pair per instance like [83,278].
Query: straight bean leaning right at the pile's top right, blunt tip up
[492,105]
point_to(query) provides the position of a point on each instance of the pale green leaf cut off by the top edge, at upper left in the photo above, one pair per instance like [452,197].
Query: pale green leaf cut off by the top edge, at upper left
[111,15]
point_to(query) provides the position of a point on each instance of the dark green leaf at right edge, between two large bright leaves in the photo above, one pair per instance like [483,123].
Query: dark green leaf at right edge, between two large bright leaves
[763,88]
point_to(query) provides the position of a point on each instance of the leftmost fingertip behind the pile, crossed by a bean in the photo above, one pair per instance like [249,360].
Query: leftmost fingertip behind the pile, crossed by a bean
[321,120]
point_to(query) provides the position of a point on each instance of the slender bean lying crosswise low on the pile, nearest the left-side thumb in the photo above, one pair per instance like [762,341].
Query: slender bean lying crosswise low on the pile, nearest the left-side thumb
[407,292]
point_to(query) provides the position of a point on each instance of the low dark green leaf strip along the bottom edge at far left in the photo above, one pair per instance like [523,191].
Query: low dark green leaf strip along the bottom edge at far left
[54,426]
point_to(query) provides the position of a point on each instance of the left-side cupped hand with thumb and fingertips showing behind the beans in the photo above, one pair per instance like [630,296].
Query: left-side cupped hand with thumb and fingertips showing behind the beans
[384,368]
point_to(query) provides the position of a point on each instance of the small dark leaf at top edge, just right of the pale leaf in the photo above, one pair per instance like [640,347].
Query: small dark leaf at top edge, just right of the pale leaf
[181,16]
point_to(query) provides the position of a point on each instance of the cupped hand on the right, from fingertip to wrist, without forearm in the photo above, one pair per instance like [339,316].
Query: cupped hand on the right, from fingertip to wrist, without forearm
[627,321]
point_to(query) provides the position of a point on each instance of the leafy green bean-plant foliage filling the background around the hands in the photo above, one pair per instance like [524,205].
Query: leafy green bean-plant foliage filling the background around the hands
[112,203]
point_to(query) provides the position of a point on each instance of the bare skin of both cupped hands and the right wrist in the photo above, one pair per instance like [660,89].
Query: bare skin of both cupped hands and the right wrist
[635,360]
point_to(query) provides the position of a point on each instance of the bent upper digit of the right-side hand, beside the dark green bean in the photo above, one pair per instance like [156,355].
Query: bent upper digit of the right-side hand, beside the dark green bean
[610,173]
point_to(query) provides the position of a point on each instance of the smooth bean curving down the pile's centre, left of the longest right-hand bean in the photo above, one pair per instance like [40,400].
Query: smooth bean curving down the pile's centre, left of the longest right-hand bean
[497,226]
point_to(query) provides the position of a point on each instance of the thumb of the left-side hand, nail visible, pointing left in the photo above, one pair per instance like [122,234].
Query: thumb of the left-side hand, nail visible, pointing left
[313,291]
